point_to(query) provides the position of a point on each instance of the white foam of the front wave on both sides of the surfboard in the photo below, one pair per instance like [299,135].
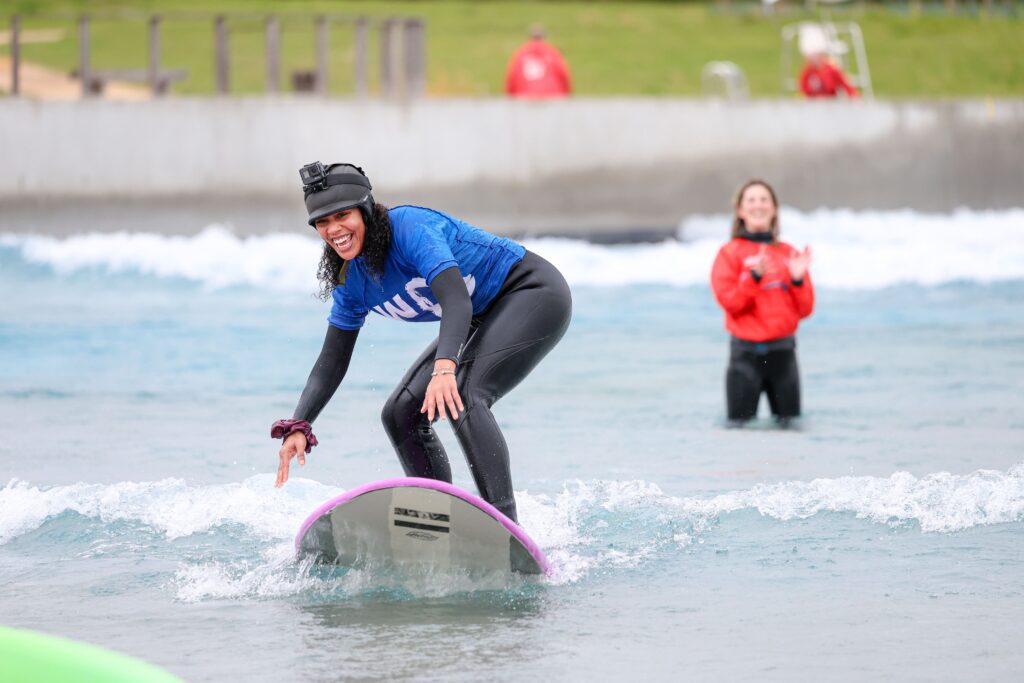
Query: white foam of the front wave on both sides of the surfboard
[589,527]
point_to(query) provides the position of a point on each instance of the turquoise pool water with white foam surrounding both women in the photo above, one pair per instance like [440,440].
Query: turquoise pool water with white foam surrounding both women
[140,379]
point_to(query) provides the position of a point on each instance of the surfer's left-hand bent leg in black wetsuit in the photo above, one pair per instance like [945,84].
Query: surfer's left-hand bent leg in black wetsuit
[419,449]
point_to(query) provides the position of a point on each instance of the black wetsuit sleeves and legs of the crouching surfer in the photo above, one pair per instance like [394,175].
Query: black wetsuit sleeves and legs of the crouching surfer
[505,343]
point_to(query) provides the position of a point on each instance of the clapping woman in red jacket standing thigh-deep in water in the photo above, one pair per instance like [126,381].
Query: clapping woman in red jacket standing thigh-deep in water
[764,286]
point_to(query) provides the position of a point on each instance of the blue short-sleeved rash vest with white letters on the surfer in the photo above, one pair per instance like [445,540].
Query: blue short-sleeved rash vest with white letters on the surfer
[424,243]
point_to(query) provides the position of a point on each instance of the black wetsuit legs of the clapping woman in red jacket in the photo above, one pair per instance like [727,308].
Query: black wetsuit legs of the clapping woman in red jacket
[757,368]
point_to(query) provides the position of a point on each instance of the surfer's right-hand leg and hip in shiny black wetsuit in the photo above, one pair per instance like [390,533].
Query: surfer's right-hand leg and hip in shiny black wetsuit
[527,320]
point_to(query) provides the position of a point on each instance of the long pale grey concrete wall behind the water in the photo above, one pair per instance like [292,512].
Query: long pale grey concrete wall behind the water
[579,165]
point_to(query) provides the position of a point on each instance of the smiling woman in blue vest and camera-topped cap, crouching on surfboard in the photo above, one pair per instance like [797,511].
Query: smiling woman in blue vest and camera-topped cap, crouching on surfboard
[504,309]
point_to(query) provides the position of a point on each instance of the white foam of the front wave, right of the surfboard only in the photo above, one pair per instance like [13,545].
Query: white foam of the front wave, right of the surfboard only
[575,534]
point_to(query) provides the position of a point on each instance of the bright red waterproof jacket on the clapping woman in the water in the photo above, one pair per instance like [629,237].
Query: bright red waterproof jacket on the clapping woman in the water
[760,311]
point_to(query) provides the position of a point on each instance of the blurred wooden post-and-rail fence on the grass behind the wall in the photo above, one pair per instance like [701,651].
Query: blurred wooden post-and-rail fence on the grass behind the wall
[298,53]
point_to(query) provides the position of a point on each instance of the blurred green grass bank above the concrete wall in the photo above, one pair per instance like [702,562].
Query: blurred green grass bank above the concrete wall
[614,49]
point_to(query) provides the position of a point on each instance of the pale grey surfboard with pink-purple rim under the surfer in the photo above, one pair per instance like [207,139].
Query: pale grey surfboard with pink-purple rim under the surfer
[411,523]
